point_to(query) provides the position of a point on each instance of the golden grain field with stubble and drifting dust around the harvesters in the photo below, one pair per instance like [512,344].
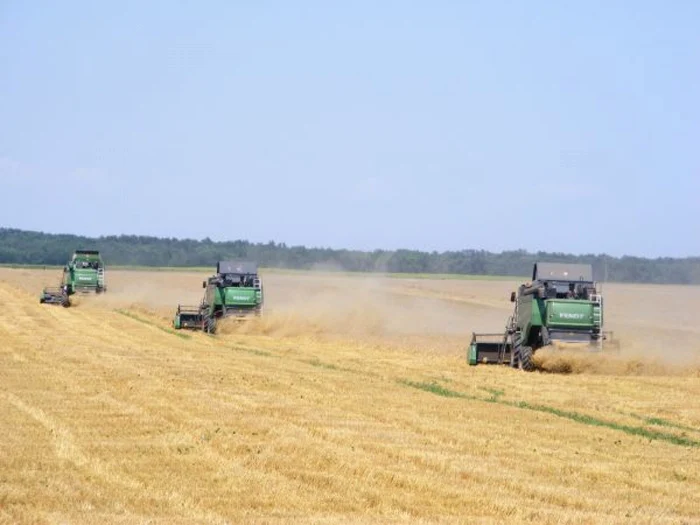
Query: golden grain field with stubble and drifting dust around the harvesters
[350,401]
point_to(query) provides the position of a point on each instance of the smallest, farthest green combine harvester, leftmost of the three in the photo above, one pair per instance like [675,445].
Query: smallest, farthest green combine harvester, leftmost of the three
[84,274]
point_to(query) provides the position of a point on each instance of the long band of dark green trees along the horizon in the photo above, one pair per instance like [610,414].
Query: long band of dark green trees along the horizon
[25,247]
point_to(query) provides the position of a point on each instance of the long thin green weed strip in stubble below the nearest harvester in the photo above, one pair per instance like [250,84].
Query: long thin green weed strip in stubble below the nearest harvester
[439,390]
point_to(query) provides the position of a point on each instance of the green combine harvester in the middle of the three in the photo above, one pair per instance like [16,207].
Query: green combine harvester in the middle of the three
[235,291]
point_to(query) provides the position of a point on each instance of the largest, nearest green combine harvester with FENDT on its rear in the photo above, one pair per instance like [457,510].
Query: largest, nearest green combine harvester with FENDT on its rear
[562,304]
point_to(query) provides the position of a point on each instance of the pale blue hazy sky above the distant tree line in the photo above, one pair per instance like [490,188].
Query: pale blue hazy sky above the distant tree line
[571,127]
